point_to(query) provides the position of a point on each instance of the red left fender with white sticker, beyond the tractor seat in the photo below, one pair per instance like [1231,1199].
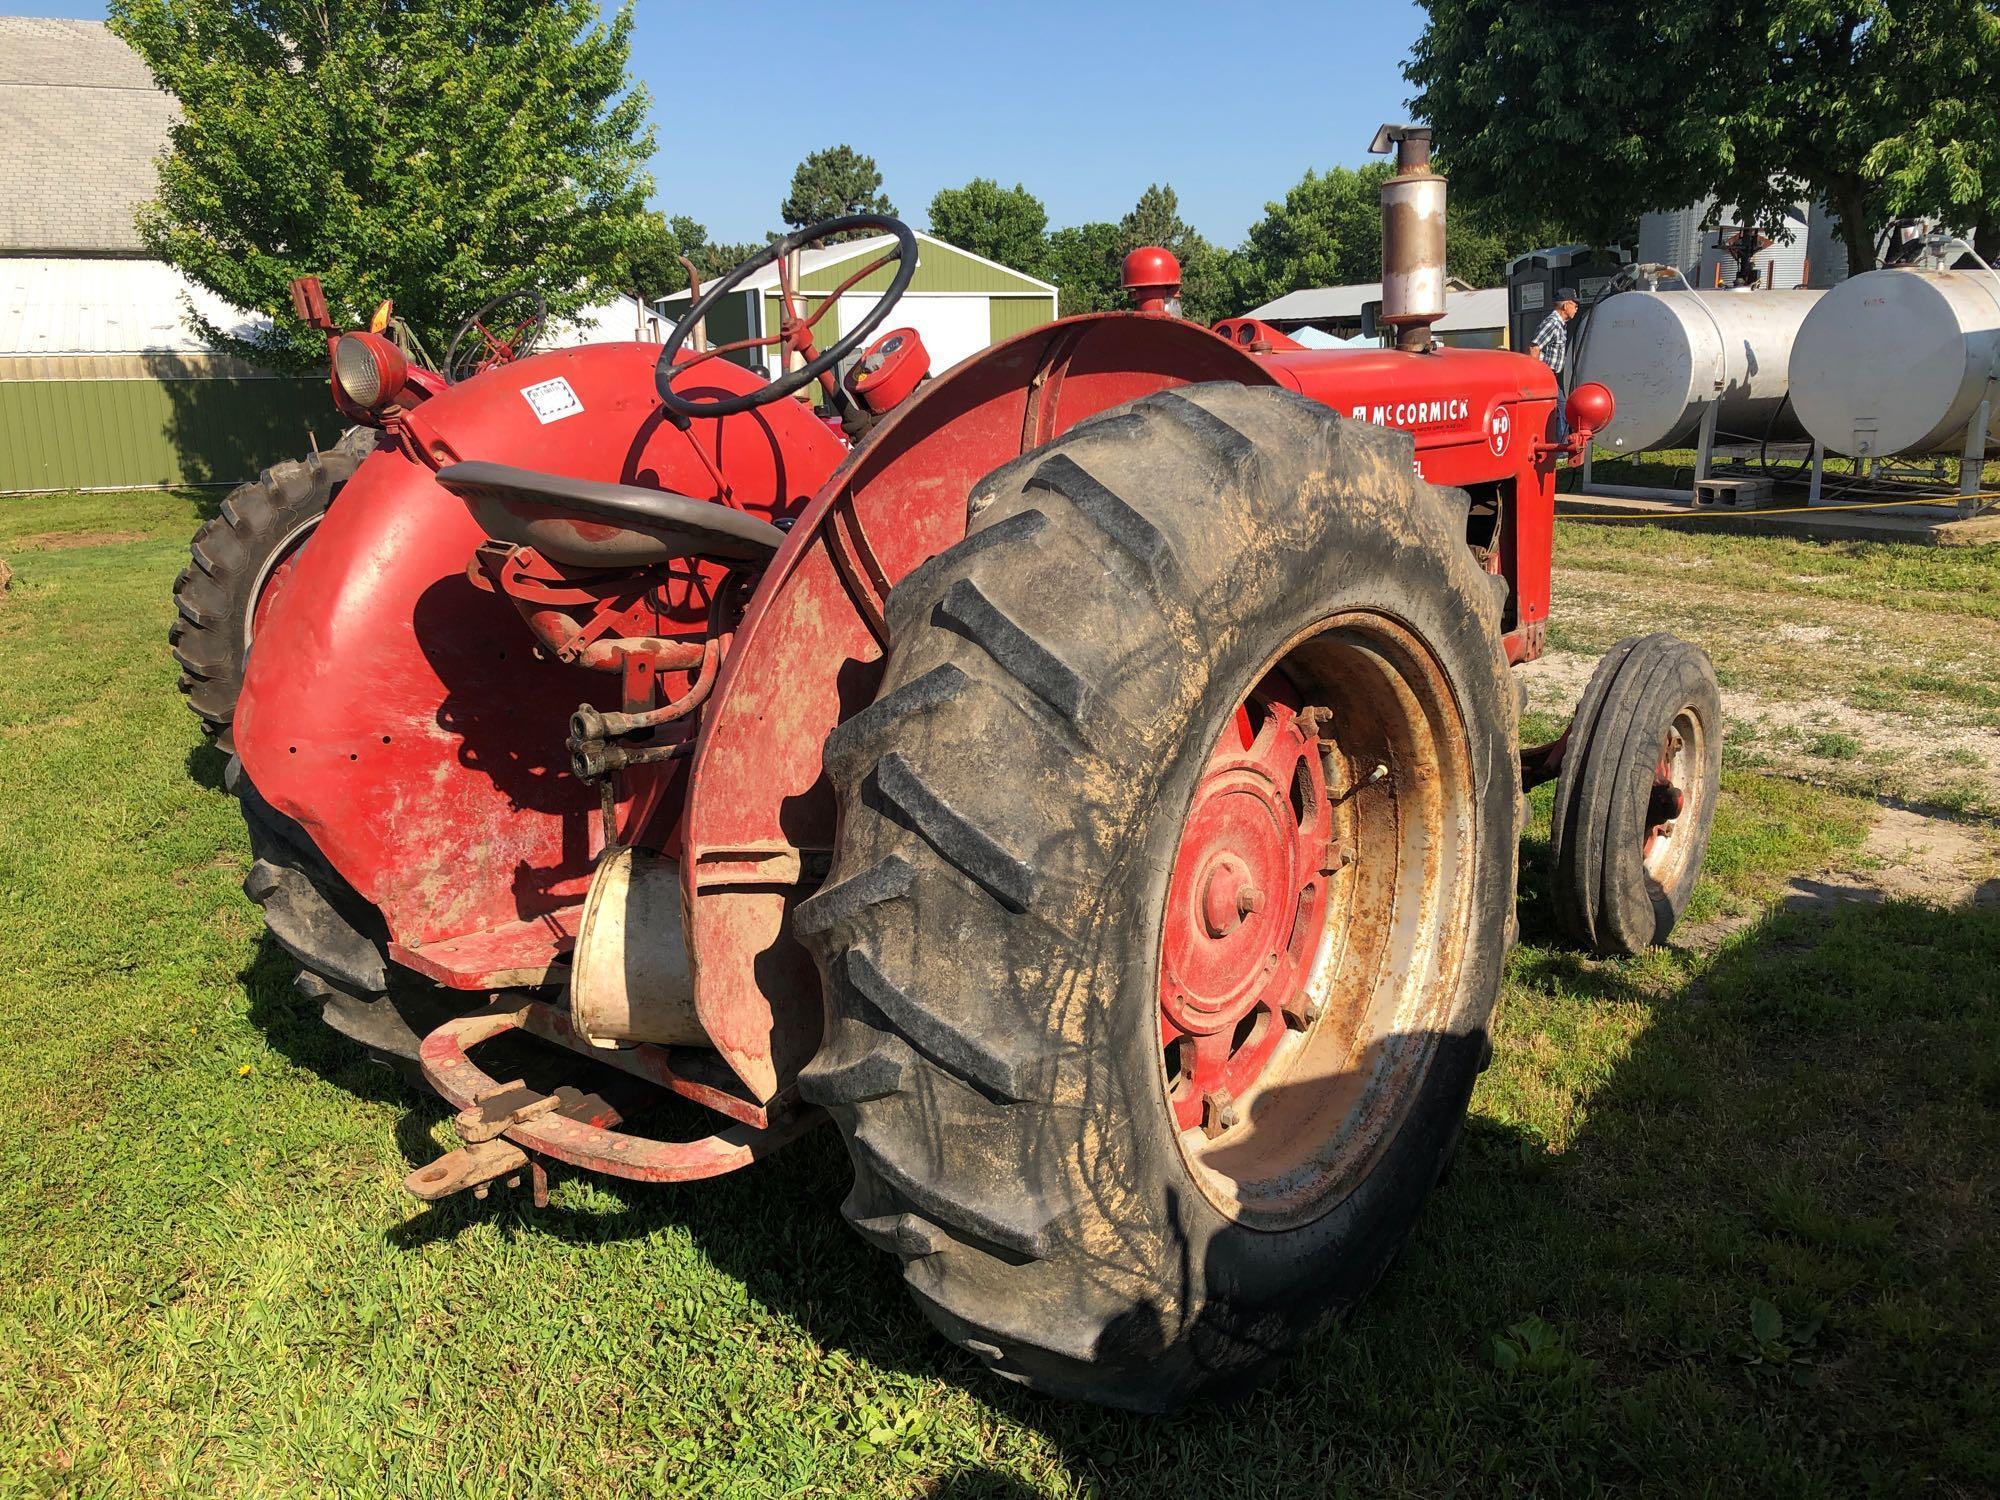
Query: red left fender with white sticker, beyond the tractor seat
[401,715]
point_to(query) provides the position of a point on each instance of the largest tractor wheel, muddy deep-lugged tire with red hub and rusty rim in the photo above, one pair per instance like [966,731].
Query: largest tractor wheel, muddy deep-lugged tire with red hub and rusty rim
[1171,895]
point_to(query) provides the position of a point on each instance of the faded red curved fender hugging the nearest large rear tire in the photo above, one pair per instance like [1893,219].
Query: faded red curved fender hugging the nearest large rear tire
[761,813]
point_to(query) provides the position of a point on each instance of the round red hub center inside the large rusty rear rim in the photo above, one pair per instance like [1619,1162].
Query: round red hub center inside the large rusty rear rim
[1245,907]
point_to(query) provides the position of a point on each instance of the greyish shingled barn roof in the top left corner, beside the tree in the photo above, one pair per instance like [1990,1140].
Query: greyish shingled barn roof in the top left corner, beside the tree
[81,129]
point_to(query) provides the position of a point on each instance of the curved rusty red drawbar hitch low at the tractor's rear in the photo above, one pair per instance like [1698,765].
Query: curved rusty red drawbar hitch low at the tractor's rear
[513,1131]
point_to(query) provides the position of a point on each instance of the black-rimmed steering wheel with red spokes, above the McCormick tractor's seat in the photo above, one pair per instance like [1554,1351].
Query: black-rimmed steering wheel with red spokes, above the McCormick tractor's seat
[793,331]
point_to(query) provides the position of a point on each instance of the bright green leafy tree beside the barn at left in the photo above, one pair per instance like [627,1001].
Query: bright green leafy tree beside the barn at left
[425,151]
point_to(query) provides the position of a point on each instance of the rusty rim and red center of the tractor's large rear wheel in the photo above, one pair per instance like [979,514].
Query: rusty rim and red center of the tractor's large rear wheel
[1315,919]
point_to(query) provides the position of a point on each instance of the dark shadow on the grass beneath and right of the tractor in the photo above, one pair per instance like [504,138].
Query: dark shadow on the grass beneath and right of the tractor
[1757,1237]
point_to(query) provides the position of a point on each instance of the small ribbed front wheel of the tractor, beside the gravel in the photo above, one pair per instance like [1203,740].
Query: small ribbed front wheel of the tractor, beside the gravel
[1637,795]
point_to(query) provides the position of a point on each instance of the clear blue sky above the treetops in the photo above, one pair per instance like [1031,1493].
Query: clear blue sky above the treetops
[1083,103]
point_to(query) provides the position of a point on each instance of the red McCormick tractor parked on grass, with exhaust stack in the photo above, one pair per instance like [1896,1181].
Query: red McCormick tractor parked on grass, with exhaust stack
[1095,787]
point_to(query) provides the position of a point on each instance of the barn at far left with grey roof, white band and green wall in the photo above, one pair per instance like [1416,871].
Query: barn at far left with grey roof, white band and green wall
[101,381]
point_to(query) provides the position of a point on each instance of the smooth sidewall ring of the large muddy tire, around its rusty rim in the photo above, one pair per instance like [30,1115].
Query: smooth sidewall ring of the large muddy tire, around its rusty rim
[1233,1275]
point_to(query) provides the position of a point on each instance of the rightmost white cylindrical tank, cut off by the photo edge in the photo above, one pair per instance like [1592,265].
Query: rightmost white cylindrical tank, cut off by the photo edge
[1899,361]
